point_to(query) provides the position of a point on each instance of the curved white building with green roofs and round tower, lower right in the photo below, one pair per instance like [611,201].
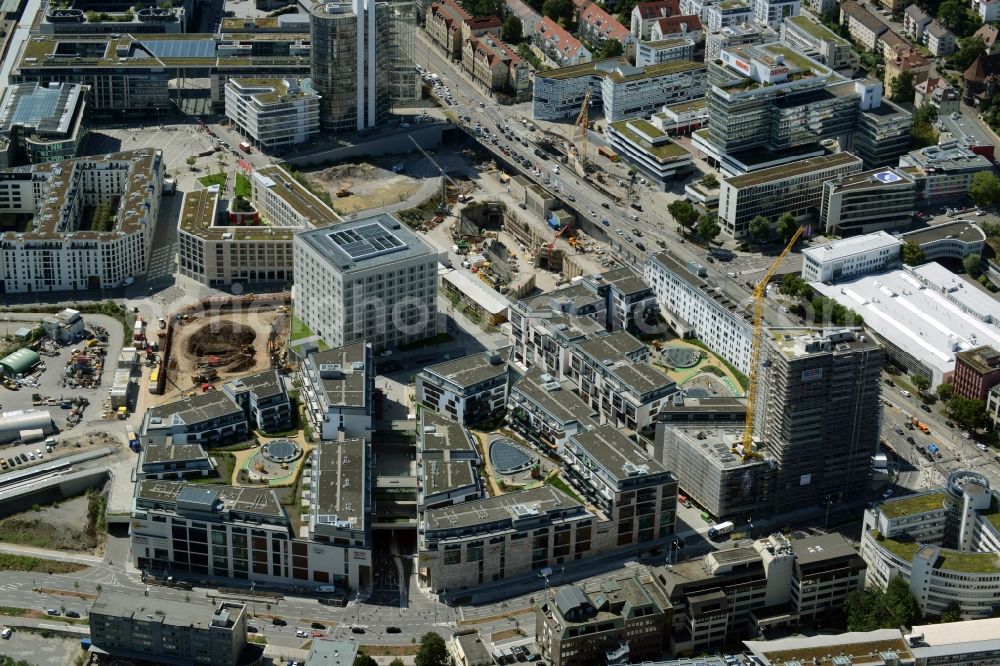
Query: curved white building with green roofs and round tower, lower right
[944,543]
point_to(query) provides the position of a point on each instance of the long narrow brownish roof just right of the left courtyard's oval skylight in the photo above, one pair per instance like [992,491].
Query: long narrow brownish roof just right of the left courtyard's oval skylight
[339,483]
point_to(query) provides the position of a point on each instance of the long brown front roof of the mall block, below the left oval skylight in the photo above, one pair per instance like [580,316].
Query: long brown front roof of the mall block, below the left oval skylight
[218,499]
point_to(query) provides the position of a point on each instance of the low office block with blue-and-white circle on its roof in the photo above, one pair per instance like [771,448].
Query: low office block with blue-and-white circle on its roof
[879,200]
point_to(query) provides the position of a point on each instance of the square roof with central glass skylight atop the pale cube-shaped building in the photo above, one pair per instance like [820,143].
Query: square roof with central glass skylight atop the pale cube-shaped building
[367,242]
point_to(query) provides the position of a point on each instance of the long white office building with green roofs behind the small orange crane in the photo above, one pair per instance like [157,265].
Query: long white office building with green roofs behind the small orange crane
[622,90]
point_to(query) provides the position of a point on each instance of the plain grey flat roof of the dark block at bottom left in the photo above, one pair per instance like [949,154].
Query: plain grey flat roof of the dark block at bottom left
[160,610]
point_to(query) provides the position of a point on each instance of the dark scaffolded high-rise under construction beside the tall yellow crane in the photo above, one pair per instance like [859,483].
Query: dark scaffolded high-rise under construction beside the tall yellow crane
[810,380]
